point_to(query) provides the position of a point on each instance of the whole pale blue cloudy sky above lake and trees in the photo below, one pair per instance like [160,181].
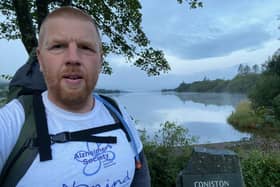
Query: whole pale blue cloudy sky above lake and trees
[206,42]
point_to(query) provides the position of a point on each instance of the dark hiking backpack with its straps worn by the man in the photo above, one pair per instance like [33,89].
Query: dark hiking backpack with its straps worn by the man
[27,85]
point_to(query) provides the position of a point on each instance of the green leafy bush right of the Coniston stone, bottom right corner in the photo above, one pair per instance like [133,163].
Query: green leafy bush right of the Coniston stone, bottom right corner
[261,169]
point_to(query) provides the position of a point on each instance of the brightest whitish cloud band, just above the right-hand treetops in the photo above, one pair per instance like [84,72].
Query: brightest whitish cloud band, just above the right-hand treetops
[181,66]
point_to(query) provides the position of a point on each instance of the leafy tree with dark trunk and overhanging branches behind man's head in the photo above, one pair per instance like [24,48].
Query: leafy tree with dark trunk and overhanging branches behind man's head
[119,22]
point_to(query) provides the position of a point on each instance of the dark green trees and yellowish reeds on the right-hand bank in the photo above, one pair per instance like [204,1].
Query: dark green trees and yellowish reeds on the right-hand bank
[262,111]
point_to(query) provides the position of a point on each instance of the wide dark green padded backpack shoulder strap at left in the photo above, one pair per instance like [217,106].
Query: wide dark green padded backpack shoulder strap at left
[21,156]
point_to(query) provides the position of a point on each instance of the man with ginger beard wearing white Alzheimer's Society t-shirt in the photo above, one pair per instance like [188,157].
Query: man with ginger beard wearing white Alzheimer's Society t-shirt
[70,58]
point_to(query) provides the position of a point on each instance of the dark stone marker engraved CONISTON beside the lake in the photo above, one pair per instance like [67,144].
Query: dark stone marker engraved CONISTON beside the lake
[211,168]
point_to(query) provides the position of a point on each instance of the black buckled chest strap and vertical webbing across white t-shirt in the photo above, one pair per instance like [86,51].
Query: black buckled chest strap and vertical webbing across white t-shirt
[44,140]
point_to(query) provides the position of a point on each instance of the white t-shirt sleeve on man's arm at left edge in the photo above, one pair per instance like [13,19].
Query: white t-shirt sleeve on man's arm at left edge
[11,120]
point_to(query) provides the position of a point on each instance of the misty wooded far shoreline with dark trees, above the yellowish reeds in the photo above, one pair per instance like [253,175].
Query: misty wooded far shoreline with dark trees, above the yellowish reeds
[260,83]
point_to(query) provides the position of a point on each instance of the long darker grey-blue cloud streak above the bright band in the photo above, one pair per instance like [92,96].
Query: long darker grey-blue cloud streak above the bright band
[223,44]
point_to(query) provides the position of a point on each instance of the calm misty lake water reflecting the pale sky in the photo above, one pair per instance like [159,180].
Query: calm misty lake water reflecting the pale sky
[203,114]
